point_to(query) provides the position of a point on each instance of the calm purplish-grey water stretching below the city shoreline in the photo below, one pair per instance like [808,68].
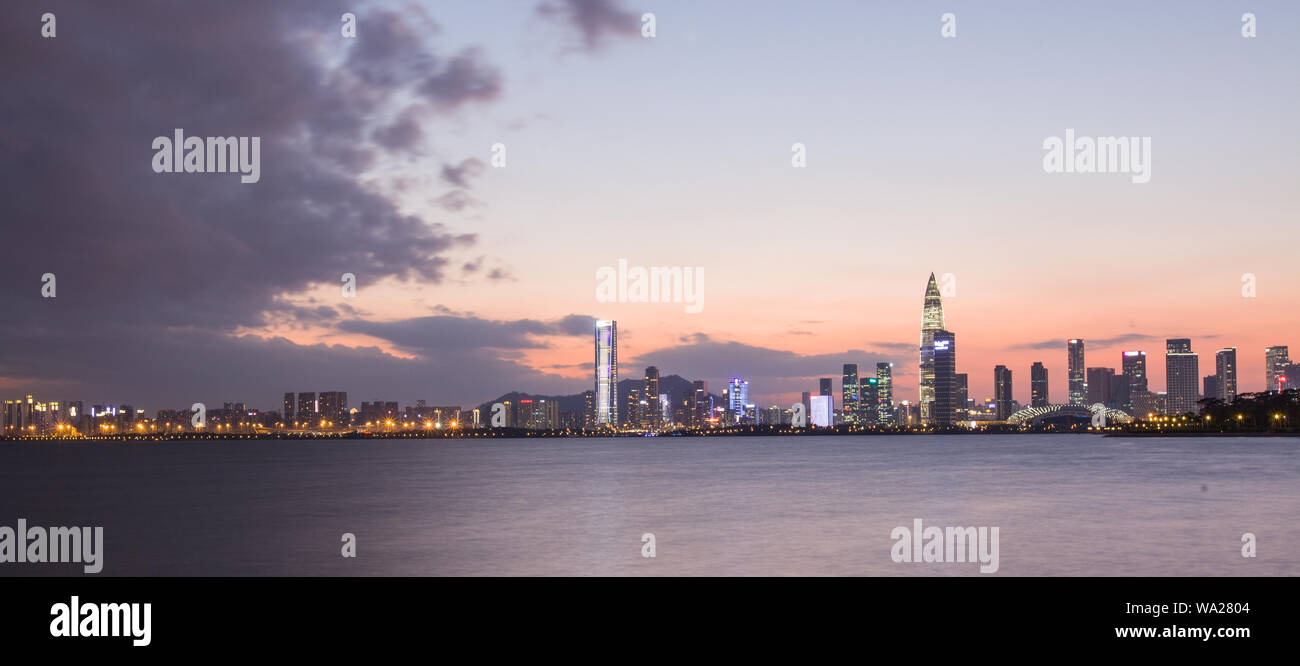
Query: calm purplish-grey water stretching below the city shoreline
[1065,505]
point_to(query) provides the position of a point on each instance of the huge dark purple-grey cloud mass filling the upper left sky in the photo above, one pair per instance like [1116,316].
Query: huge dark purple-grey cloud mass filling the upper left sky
[145,260]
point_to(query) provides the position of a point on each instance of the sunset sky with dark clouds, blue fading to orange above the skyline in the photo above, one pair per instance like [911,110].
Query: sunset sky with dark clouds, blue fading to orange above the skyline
[924,154]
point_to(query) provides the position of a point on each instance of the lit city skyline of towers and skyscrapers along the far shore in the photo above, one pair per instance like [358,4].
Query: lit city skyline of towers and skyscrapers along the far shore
[1125,387]
